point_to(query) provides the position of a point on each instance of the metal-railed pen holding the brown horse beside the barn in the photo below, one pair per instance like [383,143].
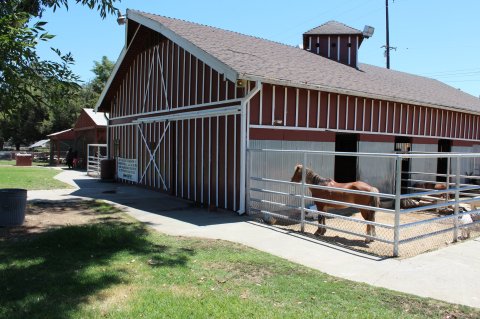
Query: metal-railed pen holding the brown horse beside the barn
[294,189]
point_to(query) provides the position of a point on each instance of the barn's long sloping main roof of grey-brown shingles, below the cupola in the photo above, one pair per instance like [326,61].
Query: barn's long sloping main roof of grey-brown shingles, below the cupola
[254,58]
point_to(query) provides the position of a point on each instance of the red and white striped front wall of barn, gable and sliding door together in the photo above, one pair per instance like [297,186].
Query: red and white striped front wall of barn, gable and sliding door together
[198,158]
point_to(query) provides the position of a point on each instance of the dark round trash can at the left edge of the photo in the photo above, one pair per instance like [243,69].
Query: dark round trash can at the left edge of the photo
[13,202]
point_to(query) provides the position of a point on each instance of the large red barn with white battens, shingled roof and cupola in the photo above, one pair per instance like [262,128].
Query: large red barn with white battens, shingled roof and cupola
[187,100]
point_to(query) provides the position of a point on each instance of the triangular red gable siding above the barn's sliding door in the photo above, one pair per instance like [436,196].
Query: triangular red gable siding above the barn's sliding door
[185,81]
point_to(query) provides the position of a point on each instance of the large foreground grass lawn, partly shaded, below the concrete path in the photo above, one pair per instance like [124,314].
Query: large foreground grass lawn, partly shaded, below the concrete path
[119,269]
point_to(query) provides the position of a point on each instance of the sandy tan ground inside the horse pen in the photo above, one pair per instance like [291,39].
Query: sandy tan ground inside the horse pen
[441,231]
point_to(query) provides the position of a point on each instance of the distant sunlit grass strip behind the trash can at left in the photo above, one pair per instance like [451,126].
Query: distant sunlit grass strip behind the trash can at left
[30,178]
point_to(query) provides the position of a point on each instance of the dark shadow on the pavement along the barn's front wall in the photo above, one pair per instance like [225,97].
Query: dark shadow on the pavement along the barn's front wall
[154,202]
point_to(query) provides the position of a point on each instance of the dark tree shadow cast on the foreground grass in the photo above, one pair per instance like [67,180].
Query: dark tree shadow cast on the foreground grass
[50,275]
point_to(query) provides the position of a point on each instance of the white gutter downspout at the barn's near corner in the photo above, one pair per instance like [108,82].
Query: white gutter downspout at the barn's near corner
[244,141]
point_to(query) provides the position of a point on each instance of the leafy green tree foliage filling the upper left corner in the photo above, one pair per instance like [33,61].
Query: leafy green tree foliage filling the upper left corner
[25,79]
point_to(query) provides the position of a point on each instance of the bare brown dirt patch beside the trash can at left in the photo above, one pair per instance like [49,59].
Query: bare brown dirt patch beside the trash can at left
[41,216]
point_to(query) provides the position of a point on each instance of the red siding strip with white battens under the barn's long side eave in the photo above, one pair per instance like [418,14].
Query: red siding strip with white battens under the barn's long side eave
[301,108]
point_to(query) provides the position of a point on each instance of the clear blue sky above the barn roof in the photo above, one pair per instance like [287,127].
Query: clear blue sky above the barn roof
[434,38]
